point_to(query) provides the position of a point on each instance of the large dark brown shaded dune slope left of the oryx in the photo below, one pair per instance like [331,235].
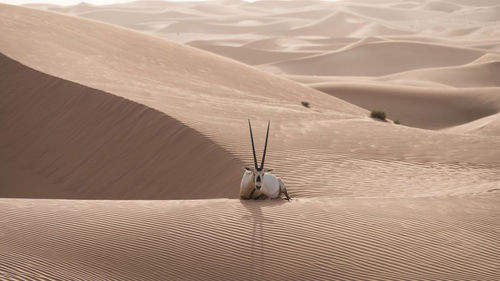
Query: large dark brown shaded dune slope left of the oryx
[64,140]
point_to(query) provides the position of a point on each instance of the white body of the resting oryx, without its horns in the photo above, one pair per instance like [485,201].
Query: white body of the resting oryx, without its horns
[272,187]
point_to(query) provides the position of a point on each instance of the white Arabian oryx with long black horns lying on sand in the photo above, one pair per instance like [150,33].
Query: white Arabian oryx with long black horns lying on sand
[257,182]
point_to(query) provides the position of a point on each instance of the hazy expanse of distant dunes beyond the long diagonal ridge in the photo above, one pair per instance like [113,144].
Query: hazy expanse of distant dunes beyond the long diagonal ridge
[417,44]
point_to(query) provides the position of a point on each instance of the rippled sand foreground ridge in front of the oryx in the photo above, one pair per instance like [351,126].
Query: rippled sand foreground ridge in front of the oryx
[229,239]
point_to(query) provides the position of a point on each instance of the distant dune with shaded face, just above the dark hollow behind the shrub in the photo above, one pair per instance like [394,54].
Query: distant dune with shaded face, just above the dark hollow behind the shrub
[379,58]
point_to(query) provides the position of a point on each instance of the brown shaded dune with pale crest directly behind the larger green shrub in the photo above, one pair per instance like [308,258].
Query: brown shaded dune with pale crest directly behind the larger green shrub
[443,107]
